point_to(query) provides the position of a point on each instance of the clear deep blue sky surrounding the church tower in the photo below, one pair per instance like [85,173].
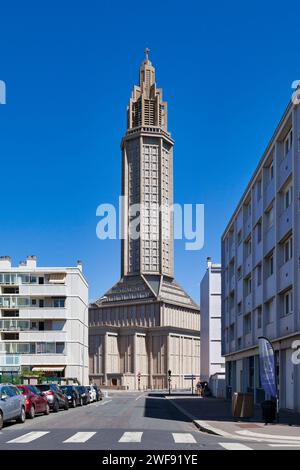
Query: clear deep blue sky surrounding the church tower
[226,69]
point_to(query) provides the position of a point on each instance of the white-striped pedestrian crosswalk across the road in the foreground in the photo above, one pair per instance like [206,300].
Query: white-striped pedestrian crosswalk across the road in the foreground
[135,438]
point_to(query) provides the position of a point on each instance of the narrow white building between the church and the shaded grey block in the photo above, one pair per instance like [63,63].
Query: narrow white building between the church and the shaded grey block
[212,364]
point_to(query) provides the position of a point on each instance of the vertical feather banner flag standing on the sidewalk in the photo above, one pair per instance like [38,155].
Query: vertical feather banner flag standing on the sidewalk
[267,366]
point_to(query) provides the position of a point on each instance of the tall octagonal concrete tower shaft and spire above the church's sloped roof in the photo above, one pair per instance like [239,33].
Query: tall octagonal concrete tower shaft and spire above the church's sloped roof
[147,174]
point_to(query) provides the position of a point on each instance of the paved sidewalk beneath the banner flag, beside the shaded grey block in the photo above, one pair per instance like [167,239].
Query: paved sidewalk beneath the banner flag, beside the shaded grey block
[214,416]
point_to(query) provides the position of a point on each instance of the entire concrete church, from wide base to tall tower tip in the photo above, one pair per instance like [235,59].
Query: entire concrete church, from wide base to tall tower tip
[146,324]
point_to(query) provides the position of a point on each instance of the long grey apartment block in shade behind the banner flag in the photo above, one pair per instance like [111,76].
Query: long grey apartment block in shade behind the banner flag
[261,263]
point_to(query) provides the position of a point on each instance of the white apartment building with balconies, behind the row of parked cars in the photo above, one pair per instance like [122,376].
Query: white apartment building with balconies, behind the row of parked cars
[43,320]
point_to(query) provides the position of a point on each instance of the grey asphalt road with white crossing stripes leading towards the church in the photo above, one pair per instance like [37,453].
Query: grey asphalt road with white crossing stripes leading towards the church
[123,421]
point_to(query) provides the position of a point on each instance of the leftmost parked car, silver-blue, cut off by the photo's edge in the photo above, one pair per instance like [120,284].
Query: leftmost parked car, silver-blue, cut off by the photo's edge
[12,404]
